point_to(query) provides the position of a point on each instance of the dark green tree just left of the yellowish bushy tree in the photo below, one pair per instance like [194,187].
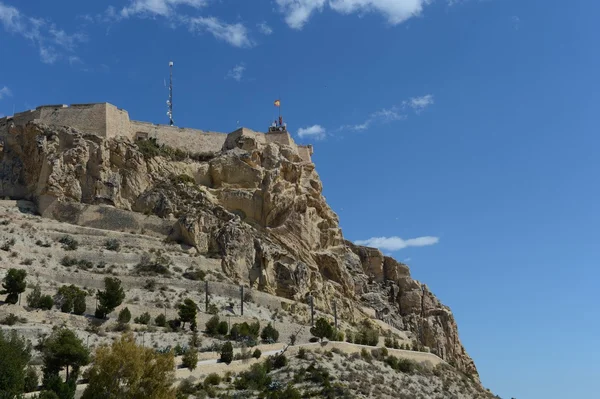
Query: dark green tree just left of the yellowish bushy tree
[62,350]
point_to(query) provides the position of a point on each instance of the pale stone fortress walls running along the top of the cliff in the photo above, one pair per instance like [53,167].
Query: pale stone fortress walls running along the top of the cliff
[106,120]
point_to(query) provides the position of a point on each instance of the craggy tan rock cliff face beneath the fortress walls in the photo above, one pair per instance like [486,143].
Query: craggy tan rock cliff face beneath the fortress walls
[258,207]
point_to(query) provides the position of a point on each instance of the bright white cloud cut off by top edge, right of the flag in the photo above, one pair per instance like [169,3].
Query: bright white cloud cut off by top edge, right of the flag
[298,12]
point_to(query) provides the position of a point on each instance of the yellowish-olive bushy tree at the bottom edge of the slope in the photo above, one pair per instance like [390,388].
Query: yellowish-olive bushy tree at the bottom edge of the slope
[129,371]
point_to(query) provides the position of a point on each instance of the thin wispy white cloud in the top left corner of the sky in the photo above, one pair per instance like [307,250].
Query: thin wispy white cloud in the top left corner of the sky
[44,34]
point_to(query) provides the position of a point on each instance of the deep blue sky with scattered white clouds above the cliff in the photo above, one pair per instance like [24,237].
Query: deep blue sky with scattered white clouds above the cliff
[459,136]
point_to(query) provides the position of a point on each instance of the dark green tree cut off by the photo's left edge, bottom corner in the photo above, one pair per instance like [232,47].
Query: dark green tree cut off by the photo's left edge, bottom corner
[15,352]
